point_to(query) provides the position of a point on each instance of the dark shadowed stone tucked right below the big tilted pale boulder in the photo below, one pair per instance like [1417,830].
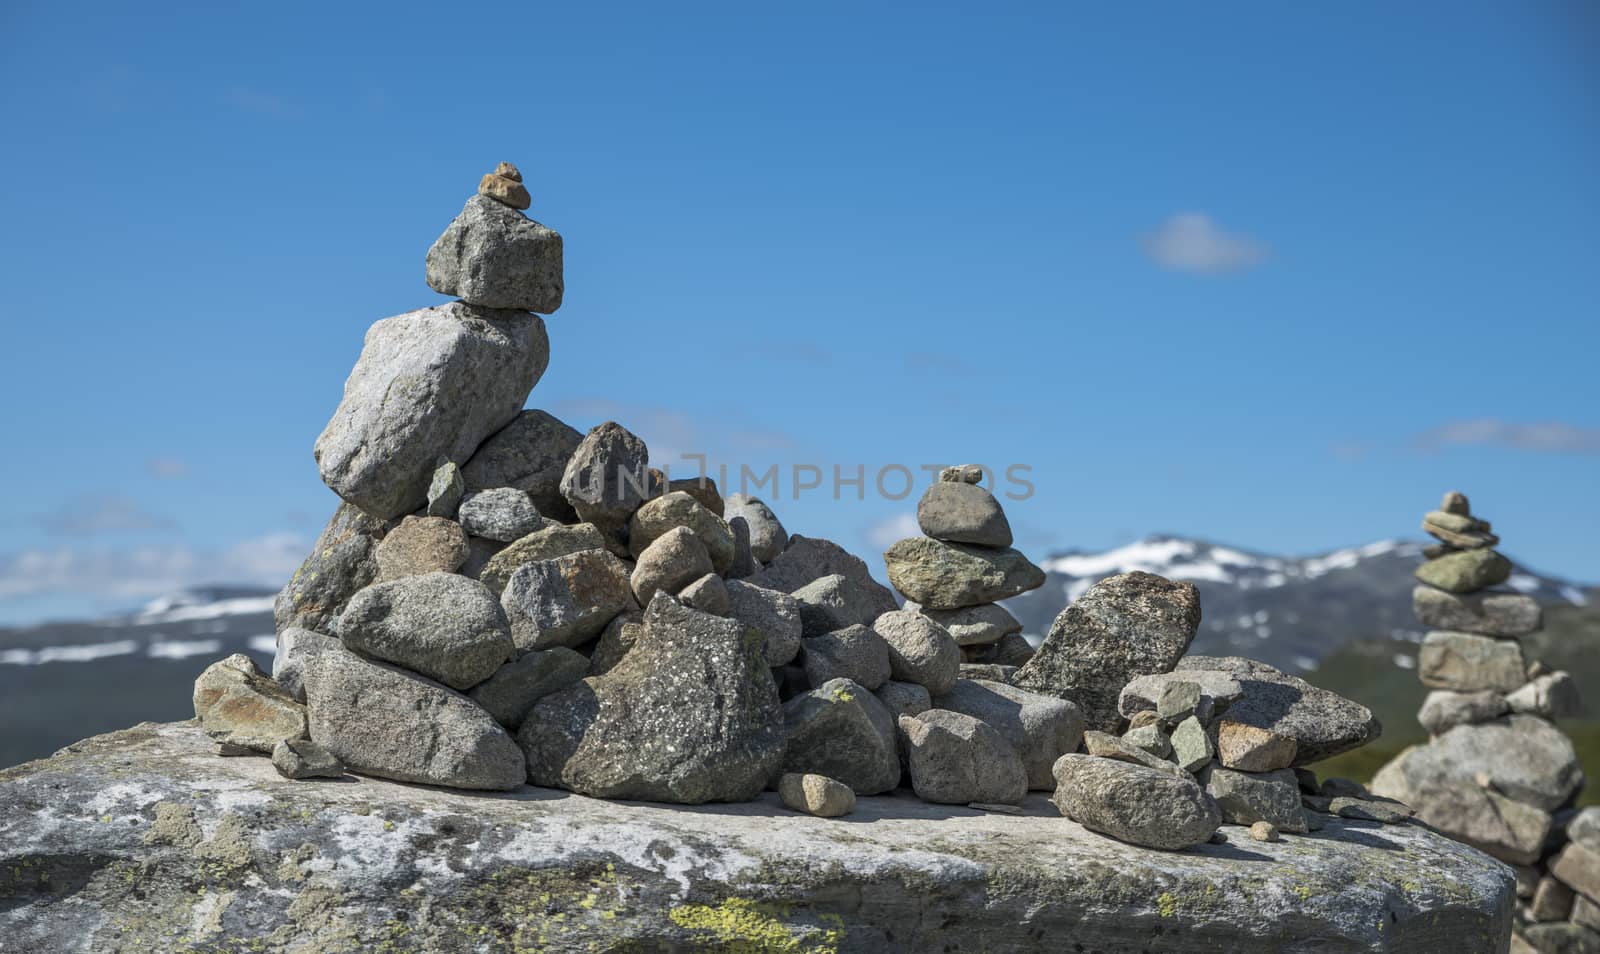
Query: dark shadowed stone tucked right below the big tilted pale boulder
[530,454]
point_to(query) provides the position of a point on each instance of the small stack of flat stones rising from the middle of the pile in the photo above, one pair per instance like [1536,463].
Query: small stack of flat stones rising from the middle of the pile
[958,574]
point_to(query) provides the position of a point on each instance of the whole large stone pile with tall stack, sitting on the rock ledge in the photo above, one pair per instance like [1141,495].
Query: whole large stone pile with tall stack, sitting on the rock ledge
[502,601]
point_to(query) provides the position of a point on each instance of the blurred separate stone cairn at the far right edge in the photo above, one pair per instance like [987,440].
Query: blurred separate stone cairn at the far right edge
[1497,772]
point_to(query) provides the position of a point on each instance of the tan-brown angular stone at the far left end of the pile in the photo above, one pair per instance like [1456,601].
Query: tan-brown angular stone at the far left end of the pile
[239,705]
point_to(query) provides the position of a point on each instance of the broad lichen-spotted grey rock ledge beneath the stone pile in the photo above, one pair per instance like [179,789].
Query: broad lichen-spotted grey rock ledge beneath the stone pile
[145,841]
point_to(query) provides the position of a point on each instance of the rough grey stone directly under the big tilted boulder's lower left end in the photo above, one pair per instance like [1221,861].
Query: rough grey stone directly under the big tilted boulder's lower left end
[342,563]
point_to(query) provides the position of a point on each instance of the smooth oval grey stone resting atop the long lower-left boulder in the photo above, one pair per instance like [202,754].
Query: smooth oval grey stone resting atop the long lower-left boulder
[444,627]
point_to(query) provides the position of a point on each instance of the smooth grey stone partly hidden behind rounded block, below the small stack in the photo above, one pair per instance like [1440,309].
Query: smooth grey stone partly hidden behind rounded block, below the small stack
[1039,728]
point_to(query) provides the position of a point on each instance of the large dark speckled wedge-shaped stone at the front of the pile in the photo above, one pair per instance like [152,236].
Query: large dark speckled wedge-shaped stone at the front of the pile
[689,716]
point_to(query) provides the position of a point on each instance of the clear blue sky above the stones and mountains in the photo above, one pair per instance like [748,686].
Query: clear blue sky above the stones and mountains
[1260,275]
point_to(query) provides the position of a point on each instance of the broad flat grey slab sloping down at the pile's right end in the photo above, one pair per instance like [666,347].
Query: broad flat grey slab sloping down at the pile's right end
[1321,723]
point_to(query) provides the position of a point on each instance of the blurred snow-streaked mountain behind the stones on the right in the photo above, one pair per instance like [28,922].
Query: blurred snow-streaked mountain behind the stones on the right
[1284,611]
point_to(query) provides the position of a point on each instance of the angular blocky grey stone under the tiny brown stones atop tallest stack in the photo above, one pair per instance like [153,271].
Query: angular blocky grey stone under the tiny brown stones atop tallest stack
[495,257]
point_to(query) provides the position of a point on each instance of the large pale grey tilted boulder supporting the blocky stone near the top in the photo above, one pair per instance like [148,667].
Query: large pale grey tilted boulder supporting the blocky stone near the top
[430,385]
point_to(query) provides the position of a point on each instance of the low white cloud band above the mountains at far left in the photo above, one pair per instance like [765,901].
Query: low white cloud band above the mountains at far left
[150,571]
